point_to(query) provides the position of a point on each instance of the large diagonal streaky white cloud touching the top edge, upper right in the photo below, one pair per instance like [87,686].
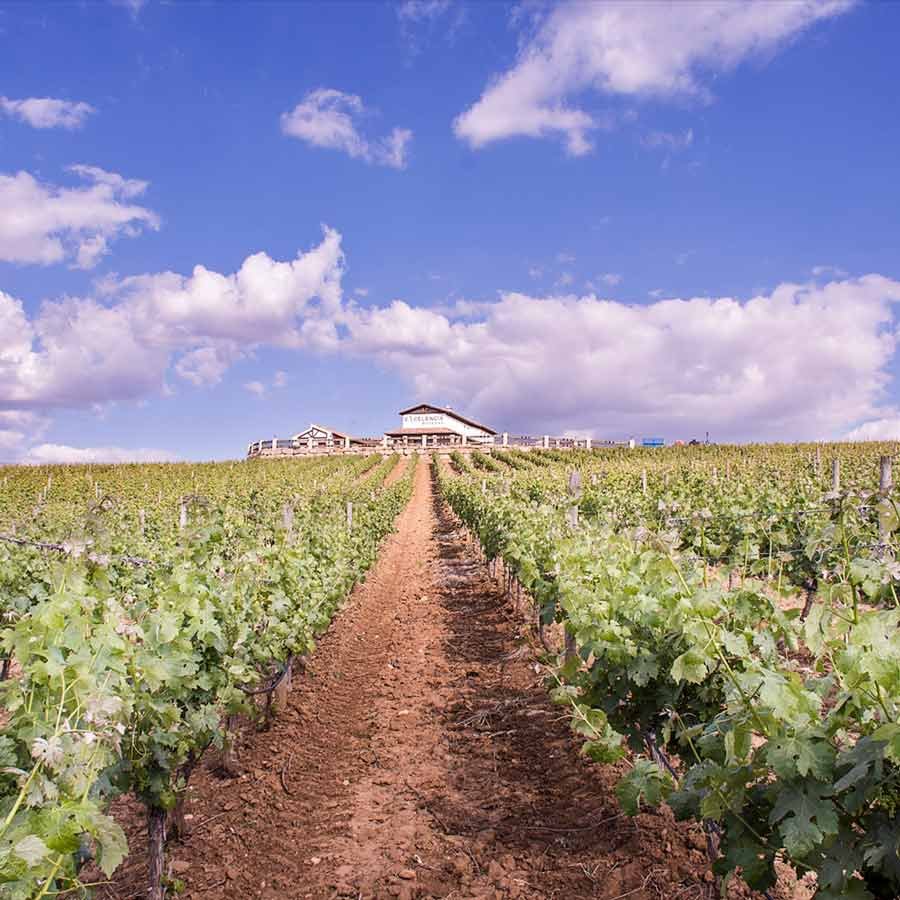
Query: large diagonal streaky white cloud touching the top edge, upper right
[627,49]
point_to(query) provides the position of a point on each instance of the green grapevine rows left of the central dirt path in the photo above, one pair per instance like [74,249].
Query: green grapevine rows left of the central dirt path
[144,607]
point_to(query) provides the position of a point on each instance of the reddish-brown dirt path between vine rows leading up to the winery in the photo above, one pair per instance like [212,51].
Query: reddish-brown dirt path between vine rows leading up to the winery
[419,756]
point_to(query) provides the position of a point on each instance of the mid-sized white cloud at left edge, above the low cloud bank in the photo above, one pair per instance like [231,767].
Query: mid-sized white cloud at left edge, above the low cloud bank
[44,224]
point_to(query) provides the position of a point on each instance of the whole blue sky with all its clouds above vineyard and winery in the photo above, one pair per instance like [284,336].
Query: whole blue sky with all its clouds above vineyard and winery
[220,222]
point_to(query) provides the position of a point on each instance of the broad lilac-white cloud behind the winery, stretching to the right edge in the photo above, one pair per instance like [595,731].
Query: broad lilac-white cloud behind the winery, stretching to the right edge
[677,367]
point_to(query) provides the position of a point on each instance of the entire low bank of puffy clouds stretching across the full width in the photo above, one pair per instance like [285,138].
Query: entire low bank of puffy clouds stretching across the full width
[542,364]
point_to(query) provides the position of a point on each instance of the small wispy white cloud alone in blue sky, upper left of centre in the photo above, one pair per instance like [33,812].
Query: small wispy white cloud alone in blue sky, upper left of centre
[329,118]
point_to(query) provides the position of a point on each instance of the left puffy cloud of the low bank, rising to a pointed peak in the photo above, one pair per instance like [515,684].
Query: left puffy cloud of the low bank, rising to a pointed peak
[79,351]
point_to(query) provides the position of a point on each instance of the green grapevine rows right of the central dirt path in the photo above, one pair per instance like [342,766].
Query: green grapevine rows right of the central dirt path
[729,621]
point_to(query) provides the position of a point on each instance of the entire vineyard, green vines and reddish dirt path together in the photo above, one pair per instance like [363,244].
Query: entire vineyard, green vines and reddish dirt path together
[718,626]
